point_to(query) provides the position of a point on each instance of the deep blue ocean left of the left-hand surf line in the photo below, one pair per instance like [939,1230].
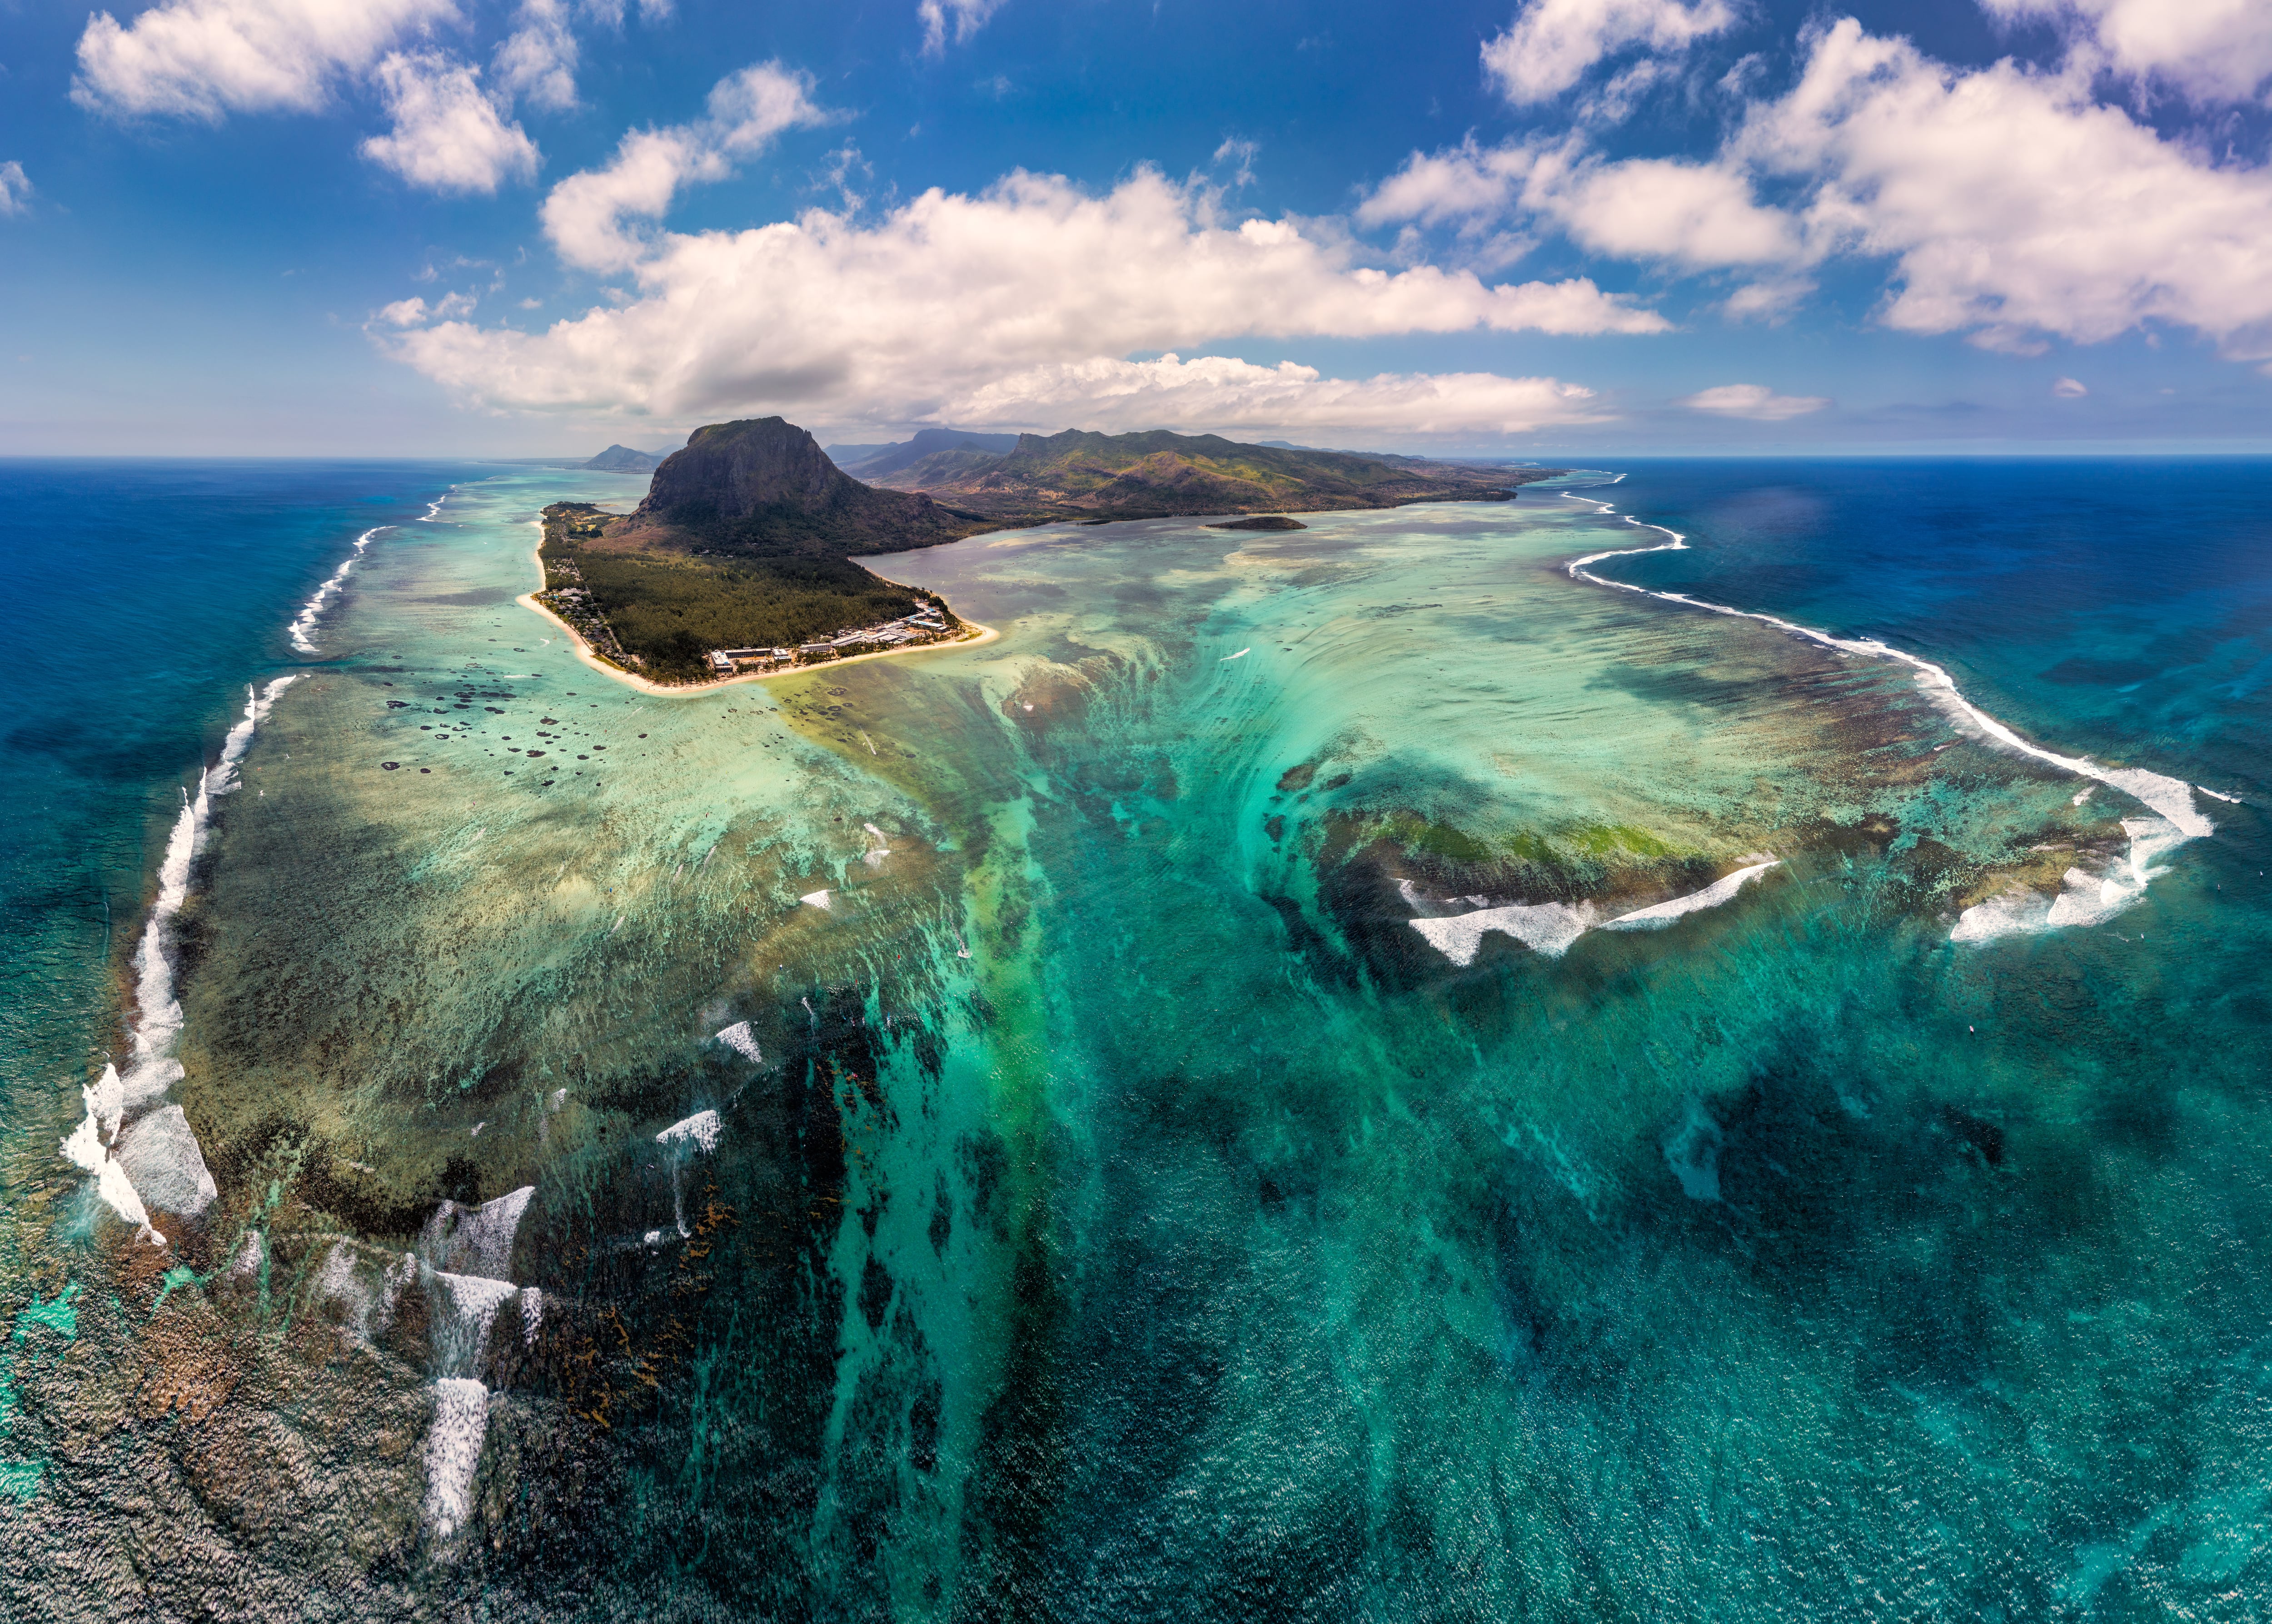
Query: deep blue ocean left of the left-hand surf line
[142,598]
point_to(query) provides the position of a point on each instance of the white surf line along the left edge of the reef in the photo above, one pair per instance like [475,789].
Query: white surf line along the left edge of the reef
[112,1141]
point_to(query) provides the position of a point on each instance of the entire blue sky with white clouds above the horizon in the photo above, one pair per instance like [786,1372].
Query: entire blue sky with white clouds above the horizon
[1542,231]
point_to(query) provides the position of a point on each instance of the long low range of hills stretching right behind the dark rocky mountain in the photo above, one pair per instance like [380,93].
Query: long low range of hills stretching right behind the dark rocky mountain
[1160,476]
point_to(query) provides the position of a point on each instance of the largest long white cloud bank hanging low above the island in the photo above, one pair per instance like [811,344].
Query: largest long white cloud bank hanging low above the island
[953,294]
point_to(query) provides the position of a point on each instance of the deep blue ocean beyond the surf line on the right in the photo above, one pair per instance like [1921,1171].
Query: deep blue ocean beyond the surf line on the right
[2119,605]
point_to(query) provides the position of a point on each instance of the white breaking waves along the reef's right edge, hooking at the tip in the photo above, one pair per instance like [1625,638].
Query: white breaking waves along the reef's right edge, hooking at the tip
[2085,898]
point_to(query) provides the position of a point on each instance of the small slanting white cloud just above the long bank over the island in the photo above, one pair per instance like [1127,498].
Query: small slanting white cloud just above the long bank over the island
[585,217]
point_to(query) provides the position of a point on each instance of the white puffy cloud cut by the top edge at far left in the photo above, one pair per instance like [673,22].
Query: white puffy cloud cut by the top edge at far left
[206,58]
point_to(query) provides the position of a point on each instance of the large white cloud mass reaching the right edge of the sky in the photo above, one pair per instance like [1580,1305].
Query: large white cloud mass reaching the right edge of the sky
[2007,201]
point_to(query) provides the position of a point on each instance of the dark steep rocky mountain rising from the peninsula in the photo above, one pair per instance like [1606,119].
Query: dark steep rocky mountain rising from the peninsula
[765,485]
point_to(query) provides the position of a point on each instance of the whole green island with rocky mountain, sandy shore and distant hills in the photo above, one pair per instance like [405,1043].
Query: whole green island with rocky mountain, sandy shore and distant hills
[742,555]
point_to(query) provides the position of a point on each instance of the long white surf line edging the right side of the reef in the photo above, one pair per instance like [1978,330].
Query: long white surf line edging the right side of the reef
[2178,817]
